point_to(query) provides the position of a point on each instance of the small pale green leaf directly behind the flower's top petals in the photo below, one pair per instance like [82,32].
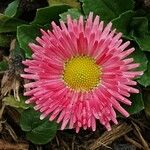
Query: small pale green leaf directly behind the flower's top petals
[74,13]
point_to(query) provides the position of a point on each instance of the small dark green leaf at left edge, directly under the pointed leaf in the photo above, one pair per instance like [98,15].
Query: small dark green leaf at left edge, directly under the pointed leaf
[5,40]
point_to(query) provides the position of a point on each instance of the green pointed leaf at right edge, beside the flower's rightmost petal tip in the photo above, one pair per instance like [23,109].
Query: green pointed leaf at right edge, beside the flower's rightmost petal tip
[145,79]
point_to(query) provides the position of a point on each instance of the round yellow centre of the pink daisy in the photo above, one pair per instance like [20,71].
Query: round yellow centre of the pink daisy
[81,73]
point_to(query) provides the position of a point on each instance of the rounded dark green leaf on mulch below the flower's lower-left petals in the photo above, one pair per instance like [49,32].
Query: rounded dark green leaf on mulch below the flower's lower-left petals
[37,131]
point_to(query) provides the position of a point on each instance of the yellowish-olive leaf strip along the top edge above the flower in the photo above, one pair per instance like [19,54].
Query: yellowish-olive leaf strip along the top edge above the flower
[72,3]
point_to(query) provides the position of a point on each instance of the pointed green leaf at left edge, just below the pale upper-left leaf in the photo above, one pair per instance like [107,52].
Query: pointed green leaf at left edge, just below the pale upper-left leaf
[8,24]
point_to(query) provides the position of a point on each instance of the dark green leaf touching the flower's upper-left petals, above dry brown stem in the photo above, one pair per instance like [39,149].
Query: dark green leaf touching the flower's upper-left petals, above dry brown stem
[25,35]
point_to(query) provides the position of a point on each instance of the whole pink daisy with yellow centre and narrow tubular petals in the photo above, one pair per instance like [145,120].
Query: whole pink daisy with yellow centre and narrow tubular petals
[79,74]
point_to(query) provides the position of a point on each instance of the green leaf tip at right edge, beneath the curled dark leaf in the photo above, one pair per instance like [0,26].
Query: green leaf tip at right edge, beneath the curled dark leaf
[143,42]
